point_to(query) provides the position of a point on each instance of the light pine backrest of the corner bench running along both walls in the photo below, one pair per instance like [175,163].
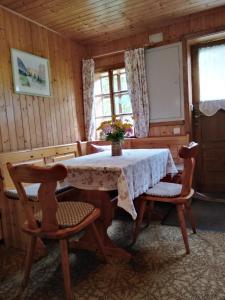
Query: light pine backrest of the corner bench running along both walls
[45,155]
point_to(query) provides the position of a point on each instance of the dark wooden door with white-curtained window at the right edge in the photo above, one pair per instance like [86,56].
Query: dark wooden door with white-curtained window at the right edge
[208,79]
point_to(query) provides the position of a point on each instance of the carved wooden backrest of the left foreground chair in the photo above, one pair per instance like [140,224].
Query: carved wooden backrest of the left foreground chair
[47,177]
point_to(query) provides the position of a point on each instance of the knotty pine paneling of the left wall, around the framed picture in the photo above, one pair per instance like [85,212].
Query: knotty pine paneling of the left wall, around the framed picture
[31,121]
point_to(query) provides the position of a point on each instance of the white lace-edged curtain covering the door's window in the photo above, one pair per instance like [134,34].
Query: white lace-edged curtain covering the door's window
[212,79]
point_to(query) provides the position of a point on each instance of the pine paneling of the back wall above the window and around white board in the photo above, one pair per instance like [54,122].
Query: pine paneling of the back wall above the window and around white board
[192,26]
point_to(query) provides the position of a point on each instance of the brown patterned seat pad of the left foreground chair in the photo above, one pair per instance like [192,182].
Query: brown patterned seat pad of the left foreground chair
[70,214]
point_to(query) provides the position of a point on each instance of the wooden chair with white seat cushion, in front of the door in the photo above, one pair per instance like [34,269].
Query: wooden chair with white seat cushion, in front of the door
[179,194]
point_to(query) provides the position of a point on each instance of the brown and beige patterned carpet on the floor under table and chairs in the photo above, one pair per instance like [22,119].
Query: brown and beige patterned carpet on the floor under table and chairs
[159,269]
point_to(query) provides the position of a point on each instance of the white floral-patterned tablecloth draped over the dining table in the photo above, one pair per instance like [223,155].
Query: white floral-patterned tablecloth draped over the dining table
[131,174]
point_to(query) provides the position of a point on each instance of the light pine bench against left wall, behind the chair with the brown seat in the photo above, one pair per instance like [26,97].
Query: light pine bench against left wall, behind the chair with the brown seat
[11,213]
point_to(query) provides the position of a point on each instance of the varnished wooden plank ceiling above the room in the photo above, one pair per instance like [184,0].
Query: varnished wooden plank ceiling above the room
[91,21]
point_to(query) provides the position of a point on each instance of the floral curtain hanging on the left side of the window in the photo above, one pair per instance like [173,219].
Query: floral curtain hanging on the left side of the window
[88,73]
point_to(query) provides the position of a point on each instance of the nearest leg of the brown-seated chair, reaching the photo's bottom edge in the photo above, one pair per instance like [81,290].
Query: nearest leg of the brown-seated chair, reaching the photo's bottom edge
[66,269]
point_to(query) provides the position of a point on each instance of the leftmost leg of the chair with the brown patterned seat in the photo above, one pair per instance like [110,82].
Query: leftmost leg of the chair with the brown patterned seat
[29,260]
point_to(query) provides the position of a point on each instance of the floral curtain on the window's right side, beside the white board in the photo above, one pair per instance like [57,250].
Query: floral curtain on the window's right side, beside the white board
[137,87]
